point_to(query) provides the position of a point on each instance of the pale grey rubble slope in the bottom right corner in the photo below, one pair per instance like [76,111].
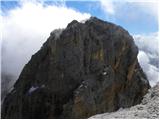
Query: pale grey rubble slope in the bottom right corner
[148,109]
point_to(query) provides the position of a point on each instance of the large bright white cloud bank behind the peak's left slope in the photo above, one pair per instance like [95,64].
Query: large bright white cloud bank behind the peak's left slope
[26,28]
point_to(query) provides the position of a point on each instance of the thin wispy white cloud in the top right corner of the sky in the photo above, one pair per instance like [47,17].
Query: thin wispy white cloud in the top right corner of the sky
[116,7]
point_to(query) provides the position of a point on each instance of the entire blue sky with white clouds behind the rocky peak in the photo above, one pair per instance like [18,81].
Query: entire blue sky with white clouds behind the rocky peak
[26,24]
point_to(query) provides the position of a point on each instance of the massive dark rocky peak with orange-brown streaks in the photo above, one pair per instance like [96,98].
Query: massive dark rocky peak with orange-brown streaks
[89,68]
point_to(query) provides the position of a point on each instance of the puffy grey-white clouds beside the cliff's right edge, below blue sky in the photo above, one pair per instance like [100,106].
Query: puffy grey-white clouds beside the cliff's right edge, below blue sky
[148,55]
